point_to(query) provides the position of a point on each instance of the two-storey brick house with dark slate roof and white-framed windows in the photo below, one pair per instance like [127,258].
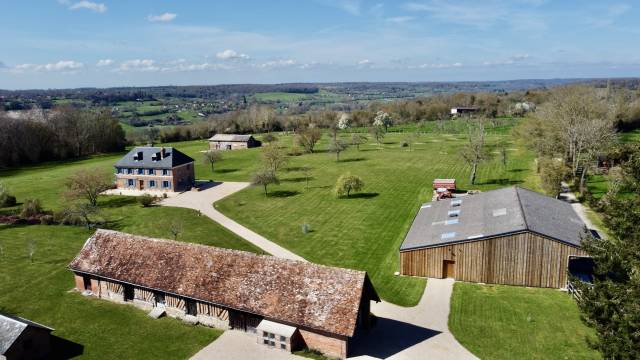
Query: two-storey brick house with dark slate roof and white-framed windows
[155,169]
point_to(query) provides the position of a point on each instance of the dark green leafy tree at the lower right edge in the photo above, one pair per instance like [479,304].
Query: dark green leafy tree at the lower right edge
[610,304]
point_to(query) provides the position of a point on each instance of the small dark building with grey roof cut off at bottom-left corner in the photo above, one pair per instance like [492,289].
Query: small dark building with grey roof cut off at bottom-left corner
[23,339]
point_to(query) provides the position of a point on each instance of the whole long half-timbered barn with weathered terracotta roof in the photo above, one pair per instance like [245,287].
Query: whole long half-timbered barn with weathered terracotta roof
[288,304]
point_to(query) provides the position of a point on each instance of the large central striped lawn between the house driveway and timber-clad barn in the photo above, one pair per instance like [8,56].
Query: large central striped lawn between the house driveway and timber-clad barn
[363,232]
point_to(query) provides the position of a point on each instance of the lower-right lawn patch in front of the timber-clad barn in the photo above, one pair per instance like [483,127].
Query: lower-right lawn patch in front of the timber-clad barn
[508,322]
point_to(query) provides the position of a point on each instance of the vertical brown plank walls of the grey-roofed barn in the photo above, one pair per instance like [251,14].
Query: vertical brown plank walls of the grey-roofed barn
[524,259]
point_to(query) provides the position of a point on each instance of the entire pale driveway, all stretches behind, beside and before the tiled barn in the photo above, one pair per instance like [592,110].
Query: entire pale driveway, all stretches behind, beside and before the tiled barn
[417,332]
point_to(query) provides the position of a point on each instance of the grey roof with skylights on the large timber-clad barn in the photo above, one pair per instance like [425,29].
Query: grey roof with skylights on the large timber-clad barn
[494,213]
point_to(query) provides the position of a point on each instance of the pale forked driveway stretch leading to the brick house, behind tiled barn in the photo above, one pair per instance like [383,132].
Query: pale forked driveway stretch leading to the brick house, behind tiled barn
[203,201]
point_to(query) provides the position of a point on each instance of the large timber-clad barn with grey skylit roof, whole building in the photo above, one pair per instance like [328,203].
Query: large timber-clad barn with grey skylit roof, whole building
[509,236]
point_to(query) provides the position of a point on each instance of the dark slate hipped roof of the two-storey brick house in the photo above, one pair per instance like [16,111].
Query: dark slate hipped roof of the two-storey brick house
[172,158]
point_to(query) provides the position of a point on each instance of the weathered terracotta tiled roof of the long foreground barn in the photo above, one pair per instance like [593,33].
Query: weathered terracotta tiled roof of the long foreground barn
[319,297]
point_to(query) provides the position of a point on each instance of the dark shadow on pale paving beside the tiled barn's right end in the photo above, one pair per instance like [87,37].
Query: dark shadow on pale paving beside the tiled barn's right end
[389,337]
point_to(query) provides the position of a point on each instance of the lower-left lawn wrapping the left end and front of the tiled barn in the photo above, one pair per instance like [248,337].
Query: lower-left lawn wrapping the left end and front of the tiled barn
[40,291]
